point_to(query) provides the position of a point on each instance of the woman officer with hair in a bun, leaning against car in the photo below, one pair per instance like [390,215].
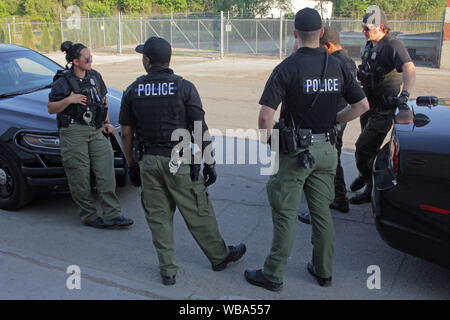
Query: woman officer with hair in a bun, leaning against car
[78,96]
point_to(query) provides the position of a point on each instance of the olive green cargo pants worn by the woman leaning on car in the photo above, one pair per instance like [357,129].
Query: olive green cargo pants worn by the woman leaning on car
[82,148]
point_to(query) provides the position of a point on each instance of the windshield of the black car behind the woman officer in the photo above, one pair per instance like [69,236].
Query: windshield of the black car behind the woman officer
[23,71]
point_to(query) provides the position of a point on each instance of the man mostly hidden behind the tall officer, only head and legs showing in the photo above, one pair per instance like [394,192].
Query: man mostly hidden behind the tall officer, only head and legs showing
[331,42]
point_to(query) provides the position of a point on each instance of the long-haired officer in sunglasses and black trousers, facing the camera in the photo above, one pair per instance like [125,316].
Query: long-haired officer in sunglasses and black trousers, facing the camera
[386,65]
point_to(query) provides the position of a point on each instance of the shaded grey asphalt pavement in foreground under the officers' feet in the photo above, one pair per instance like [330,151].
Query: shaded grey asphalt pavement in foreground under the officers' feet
[42,240]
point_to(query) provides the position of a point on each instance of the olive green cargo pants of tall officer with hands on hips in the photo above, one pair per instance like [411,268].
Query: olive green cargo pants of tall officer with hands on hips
[284,193]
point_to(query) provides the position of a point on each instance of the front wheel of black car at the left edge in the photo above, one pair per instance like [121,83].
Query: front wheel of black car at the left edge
[14,191]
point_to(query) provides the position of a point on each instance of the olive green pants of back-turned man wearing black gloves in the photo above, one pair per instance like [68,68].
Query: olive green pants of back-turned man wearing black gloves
[161,193]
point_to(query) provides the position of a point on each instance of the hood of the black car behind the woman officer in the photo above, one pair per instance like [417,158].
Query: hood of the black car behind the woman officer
[29,111]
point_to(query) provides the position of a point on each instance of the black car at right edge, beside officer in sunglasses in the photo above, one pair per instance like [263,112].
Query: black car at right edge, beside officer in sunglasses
[411,198]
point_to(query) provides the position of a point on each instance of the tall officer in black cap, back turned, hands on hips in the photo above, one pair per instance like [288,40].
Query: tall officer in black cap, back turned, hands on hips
[309,83]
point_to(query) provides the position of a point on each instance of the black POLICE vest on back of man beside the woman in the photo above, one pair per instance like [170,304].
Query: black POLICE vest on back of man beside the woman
[158,108]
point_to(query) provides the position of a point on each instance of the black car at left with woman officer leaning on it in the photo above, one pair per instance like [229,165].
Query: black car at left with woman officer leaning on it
[30,161]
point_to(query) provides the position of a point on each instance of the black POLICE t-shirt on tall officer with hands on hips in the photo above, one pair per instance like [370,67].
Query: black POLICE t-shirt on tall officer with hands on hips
[295,82]
